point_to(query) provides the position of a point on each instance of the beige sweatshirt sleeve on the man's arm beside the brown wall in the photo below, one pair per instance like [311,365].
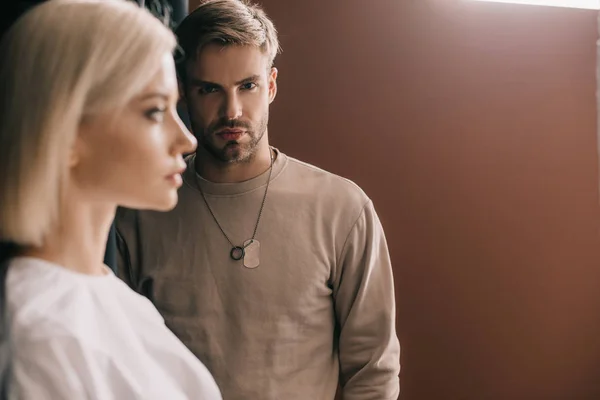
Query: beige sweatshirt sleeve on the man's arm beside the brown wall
[365,308]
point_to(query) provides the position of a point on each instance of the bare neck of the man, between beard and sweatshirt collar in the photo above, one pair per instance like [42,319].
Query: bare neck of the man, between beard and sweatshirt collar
[212,170]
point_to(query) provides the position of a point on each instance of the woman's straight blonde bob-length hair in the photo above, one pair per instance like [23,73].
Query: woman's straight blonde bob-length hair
[61,61]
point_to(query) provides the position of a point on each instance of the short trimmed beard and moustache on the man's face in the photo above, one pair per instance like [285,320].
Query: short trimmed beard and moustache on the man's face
[232,152]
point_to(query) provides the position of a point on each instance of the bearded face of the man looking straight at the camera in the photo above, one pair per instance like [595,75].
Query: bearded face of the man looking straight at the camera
[227,91]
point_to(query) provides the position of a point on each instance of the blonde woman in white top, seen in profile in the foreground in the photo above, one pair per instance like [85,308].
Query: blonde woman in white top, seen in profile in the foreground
[87,122]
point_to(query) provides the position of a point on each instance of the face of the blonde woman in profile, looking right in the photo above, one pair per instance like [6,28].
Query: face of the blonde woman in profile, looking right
[134,156]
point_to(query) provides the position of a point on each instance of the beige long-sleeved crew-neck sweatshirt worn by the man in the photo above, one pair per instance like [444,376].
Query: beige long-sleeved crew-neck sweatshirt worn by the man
[319,306]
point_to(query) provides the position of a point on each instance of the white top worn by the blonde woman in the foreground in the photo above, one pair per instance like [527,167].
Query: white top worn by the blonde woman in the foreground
[78,336]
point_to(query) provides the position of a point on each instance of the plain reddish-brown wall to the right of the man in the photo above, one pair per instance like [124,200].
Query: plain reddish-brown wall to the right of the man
[472,127]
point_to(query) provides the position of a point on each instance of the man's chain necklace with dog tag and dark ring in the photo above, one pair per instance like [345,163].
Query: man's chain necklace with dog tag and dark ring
[249,251]
